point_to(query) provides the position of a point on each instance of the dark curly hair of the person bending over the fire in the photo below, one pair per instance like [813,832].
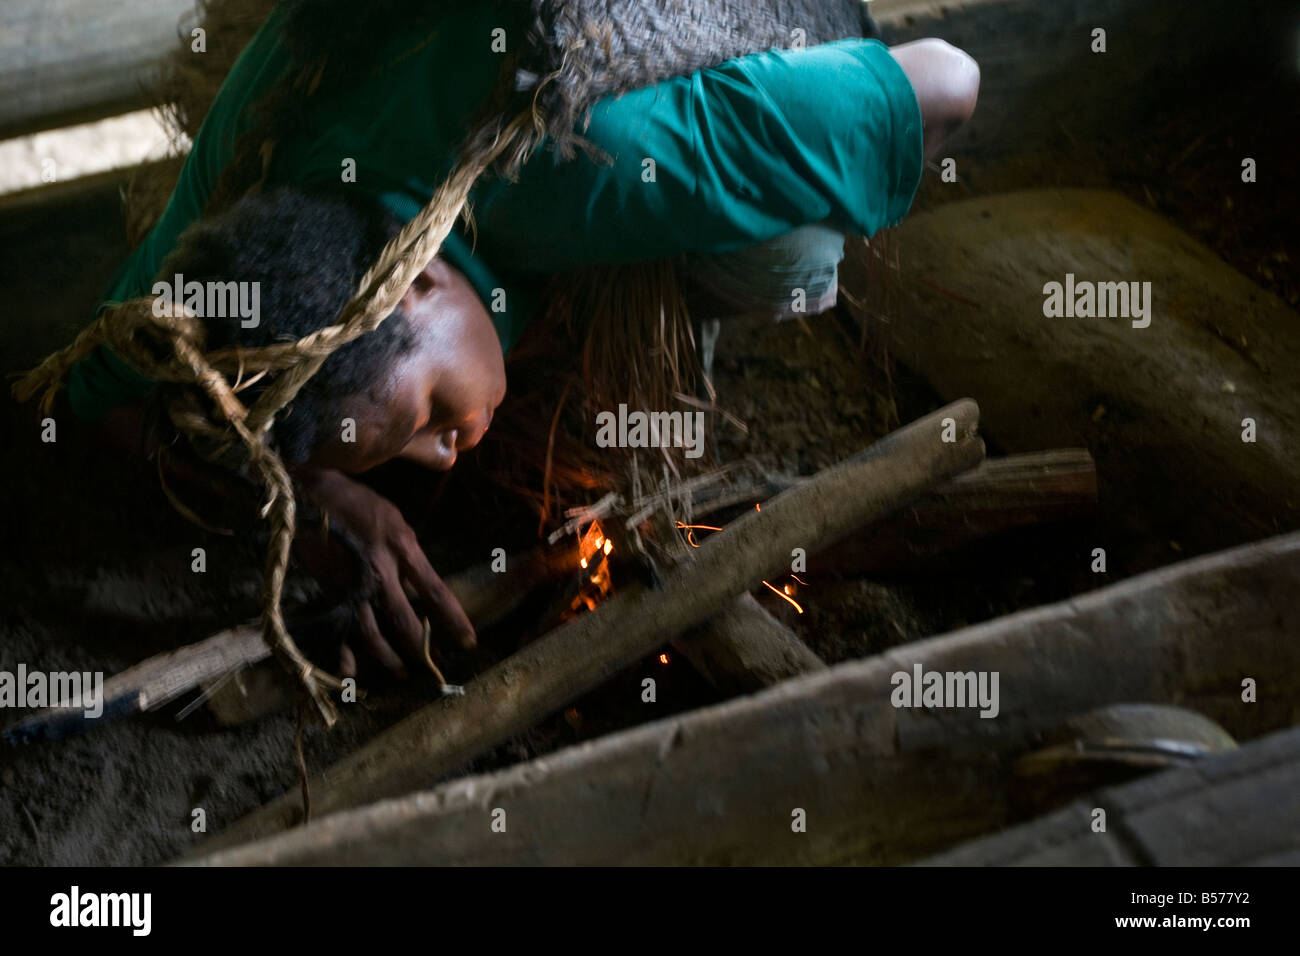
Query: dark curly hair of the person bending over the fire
[307,250]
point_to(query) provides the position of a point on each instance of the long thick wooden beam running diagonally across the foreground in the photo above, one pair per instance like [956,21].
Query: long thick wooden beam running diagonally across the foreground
[878,784]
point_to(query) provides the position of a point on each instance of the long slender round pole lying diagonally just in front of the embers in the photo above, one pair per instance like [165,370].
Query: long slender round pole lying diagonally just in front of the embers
[579,656]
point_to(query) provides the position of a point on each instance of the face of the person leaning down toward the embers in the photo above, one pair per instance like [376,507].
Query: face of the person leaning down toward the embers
[439,399]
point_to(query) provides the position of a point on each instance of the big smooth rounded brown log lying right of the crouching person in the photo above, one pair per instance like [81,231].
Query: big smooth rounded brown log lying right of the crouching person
[1164,408]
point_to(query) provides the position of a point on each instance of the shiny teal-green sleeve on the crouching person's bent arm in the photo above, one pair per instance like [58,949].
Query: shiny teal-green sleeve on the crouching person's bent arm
[742,153]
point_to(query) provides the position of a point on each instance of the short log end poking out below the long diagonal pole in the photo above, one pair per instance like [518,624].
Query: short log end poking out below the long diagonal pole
[743,650]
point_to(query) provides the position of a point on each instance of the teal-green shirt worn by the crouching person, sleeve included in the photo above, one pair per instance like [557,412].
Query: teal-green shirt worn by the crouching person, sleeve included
[743,153]
